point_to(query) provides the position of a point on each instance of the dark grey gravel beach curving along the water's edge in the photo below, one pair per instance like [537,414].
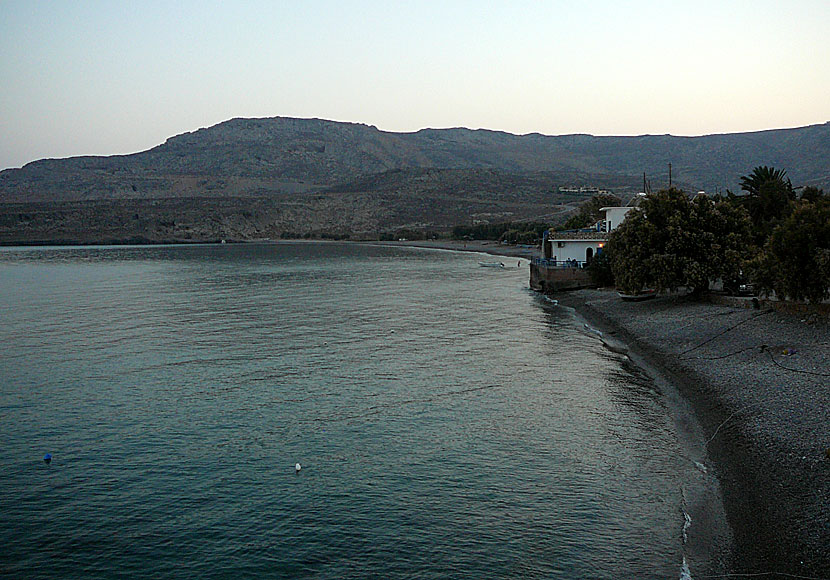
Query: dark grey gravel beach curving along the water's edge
[757,381]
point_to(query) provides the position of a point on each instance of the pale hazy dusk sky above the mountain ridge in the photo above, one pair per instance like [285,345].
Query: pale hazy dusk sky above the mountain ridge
[118,77]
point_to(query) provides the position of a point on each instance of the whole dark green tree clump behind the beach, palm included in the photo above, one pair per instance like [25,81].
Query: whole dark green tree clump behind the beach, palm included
[672,241]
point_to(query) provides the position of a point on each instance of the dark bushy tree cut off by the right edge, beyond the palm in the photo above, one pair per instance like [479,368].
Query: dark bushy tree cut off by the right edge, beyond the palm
[796,259]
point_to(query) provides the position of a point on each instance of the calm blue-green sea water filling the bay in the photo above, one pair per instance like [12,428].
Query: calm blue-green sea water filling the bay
[449,422]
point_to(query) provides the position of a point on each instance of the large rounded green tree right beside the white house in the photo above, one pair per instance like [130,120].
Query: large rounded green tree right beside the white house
[672,241]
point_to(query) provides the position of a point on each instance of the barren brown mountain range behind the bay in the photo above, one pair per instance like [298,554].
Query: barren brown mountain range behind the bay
[248,178]
